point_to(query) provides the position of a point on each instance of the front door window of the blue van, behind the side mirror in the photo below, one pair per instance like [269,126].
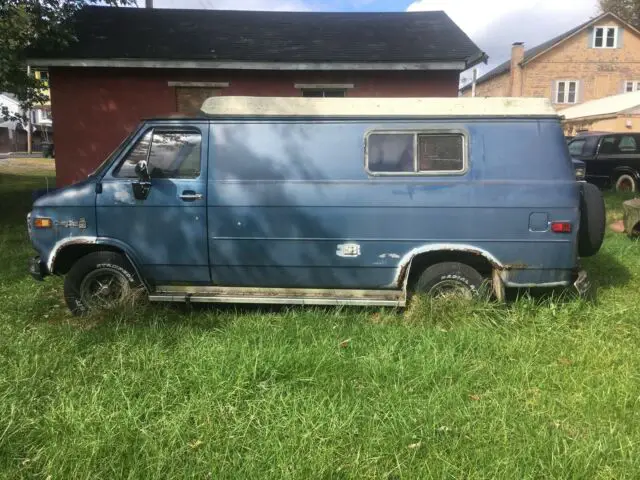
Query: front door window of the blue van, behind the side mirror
[171,153]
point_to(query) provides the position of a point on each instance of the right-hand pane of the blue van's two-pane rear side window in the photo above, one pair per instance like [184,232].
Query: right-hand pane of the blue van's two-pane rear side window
[440,153]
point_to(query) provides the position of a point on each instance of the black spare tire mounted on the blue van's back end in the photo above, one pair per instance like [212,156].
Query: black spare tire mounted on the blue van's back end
[592,221]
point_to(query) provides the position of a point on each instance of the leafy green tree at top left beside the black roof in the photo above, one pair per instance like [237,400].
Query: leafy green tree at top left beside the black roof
[25,24]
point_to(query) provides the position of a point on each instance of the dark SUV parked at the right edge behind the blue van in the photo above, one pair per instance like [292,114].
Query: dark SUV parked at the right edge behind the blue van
[611,159]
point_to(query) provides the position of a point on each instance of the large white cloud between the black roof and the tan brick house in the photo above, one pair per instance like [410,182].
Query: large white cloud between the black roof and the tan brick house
[495,24]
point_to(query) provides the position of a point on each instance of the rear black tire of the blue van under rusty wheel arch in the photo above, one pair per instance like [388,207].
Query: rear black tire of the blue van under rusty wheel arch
[458,278]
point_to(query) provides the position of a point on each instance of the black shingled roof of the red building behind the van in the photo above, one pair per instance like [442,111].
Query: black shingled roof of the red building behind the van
[134,34]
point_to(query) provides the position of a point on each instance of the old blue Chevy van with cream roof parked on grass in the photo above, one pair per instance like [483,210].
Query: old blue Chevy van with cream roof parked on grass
[324,201]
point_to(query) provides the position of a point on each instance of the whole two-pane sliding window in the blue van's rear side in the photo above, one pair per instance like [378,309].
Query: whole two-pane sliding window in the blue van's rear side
[415,152]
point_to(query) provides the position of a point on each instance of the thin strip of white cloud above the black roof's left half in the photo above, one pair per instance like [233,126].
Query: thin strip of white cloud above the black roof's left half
[272,5]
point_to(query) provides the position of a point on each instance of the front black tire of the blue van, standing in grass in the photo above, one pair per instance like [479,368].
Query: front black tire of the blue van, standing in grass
[92,267]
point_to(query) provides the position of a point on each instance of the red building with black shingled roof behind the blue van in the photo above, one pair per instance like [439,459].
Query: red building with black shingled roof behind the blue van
[131,63]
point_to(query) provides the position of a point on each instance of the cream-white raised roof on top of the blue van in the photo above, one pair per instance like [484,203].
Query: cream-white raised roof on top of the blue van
[393,107]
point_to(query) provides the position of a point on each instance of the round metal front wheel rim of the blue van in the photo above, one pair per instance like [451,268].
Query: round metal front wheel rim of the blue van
[103,288]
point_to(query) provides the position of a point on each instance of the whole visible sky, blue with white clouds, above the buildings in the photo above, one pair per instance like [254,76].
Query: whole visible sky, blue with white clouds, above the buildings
[492,24]
